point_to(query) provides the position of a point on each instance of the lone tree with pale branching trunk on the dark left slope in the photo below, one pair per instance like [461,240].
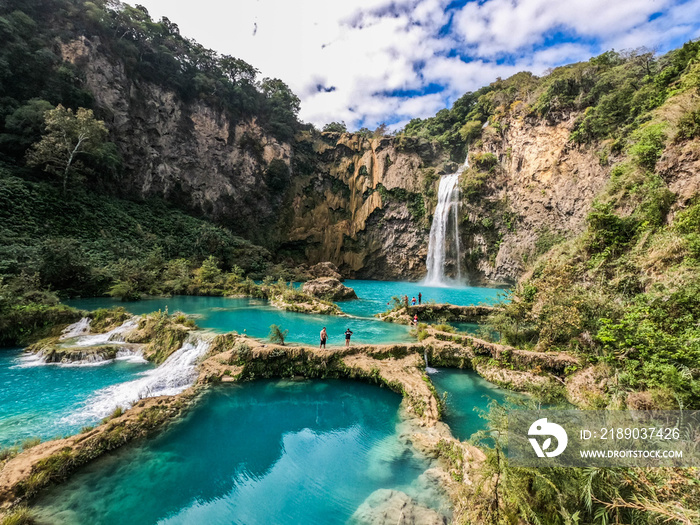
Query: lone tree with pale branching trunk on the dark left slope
[68,137]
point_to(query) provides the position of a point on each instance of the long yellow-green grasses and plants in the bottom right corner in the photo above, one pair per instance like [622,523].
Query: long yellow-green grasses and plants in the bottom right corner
[506,494]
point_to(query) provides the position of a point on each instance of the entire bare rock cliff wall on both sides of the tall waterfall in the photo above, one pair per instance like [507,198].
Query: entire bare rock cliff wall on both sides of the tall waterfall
[362,203]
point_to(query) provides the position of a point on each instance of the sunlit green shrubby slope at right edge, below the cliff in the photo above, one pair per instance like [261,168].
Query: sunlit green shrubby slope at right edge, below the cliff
[626,292]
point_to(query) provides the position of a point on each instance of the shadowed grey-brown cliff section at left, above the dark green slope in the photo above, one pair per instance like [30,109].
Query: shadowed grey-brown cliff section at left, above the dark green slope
[191,154]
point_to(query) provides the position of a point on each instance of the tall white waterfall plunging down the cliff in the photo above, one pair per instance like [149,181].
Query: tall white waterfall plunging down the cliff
[441,240]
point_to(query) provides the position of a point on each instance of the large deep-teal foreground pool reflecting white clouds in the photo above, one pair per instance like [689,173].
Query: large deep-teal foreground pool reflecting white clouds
[264,452]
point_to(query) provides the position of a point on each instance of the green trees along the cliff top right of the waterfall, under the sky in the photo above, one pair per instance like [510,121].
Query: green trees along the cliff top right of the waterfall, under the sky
[613,94]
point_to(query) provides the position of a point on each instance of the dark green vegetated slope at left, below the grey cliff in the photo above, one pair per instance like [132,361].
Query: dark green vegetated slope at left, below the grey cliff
[81,242]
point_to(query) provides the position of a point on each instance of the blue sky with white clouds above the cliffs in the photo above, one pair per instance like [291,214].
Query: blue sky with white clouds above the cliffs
[370,61]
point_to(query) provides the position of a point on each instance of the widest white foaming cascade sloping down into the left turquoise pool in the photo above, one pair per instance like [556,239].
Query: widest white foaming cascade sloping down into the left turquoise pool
[175,375]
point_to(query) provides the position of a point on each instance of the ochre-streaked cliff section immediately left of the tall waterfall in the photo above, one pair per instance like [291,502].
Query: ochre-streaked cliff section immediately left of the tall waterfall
[362,207]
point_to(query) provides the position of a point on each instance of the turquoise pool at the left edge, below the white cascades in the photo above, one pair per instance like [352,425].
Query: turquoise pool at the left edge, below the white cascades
[36,401]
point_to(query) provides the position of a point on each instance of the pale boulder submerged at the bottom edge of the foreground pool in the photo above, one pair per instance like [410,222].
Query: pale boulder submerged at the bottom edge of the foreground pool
[389,507]
